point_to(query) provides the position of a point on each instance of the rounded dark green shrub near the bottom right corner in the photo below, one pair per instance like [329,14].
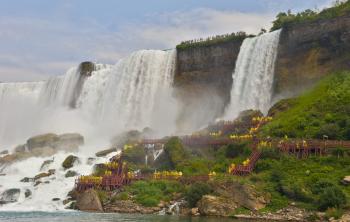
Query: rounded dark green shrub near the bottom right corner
[332,197]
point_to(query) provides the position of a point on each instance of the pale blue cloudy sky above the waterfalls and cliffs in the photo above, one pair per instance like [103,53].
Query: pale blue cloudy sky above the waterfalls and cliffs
[41,38]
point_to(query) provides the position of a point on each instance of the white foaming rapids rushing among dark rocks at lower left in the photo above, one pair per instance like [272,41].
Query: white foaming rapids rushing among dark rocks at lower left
[54,186]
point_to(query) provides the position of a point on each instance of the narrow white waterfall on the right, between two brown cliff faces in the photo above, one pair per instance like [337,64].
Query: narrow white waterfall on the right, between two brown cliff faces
[254,73]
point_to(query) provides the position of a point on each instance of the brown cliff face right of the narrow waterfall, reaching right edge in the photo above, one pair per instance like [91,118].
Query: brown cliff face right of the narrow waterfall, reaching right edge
[309,51]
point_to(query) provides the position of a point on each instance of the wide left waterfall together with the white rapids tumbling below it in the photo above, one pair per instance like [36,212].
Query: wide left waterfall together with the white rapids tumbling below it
[134,93]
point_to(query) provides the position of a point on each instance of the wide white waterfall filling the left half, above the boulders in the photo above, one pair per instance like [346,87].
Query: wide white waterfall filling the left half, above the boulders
[134,93]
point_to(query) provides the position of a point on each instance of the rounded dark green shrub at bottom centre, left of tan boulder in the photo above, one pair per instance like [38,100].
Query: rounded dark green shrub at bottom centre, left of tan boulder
[195,192]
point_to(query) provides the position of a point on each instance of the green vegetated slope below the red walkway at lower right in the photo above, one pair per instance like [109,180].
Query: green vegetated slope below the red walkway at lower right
[313,183]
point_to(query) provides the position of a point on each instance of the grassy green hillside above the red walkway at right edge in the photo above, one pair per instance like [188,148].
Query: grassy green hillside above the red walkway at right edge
[325,110]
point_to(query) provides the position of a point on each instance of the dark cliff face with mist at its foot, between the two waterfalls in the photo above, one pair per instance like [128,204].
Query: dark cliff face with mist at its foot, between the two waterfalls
[203,81]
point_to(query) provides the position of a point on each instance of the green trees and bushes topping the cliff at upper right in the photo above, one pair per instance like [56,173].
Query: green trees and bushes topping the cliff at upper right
[286,19]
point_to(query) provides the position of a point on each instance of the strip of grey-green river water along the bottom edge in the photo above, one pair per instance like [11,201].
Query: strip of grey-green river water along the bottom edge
[82,217]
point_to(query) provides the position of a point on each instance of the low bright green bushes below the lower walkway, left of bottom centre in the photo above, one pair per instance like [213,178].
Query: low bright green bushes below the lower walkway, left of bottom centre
[150,193]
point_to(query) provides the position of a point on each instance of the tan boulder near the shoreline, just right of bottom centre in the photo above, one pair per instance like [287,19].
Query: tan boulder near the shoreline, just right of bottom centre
[216,206]
